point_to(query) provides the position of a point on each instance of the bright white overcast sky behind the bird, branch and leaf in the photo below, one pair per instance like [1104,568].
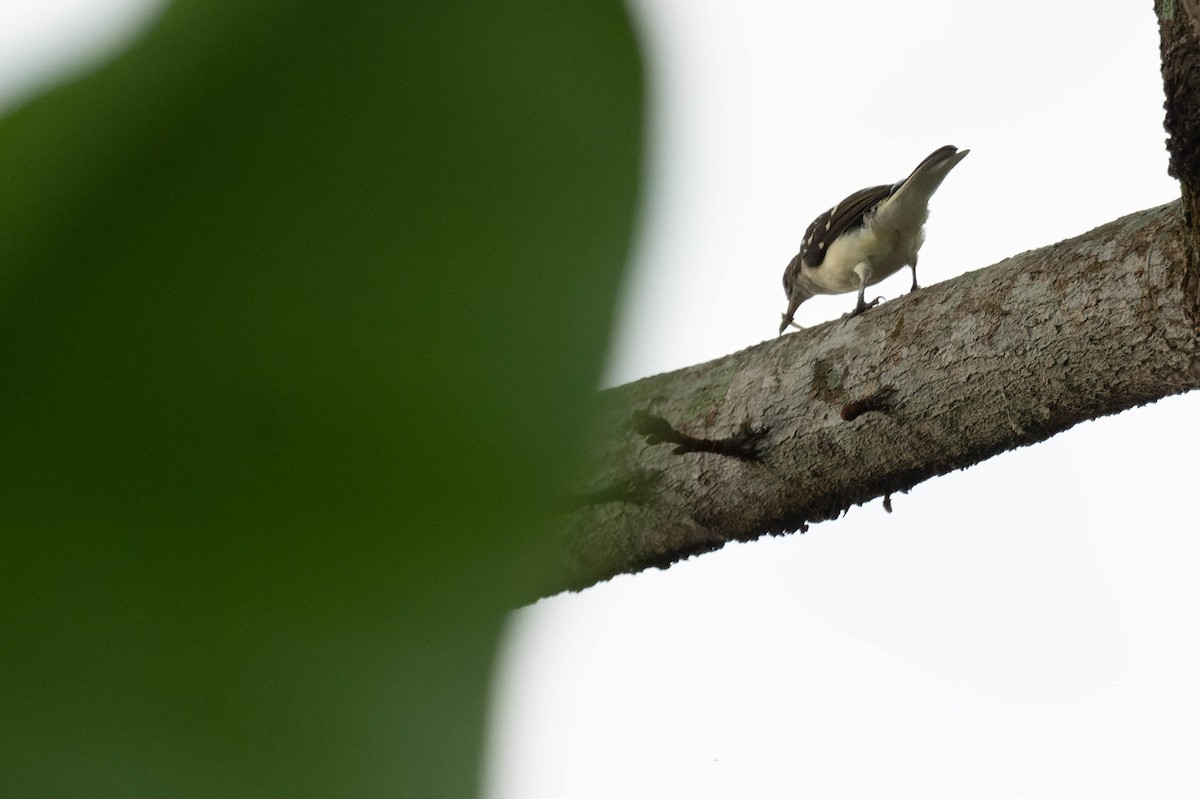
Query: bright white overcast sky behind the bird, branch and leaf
[1023,628]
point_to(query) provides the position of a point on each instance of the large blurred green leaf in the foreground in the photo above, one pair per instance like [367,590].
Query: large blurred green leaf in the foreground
[302,309]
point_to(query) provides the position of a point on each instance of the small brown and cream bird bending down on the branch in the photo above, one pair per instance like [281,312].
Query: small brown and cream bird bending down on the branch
[867,238]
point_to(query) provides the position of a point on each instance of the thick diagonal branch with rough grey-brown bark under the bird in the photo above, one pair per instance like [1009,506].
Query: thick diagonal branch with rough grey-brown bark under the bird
[800,429]
